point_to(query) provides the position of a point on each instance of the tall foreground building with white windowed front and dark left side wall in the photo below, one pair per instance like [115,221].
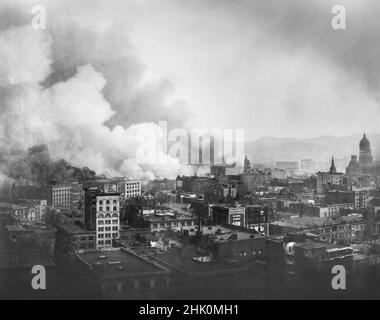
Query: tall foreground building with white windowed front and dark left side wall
[103,215]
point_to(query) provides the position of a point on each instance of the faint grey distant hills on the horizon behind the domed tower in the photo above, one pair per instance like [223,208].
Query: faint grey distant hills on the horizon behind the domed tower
[271,149]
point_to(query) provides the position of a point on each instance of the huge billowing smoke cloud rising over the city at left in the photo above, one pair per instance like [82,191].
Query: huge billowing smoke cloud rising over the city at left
[77,89]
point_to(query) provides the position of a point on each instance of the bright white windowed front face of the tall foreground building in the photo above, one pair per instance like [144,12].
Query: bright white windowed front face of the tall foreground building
[107,220]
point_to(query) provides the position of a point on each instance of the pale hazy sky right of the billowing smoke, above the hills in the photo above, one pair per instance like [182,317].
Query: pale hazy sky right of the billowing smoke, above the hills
[271,67]
